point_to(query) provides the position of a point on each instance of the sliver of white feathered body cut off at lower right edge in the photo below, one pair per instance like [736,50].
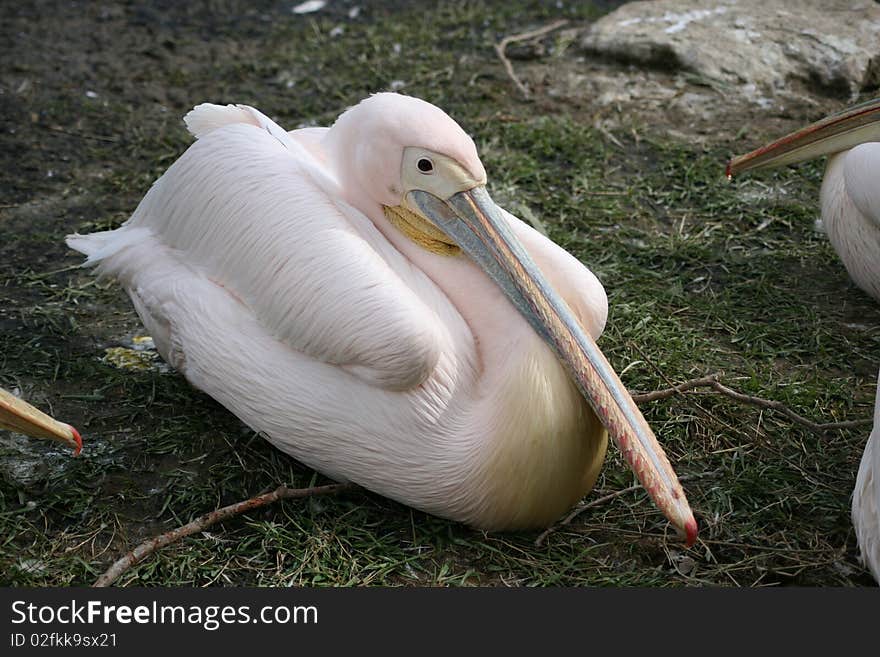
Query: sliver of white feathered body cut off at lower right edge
[866,498]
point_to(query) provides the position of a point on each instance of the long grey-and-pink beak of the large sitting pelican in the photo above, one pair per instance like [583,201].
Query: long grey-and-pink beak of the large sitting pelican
[473,220]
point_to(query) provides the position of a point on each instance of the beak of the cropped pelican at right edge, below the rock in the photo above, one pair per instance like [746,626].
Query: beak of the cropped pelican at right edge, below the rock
[838,132]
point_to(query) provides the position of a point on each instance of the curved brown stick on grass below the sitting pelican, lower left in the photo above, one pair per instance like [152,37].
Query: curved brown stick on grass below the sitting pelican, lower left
[201,523]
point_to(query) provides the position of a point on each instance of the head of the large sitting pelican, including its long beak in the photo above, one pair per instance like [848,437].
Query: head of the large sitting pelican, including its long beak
[414,160]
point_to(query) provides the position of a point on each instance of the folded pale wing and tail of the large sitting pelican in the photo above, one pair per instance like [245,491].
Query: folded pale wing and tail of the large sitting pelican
[249,208]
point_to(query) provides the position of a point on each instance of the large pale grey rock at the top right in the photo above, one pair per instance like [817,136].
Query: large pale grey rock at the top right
[760,45]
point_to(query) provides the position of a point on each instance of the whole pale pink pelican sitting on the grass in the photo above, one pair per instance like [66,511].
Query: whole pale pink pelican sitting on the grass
[354,294]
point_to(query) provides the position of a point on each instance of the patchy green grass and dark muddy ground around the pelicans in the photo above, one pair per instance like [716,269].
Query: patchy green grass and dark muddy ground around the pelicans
[701,275]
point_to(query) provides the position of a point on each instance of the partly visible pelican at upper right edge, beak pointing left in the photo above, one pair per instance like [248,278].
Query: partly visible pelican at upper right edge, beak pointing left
[850,194]
